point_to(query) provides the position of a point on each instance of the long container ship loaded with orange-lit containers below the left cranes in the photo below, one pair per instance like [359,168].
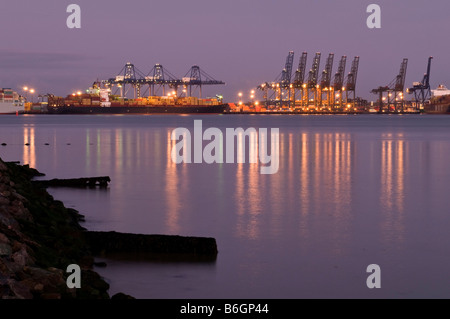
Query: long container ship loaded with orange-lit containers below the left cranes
[99,100]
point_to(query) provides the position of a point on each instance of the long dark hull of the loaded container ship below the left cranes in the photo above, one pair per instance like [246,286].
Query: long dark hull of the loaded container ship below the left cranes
[139,109]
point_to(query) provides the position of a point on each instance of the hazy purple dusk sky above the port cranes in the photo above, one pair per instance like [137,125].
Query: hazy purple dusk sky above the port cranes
[242,43]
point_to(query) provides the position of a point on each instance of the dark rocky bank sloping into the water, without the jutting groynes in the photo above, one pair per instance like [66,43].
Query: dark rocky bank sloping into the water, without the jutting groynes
[39,238]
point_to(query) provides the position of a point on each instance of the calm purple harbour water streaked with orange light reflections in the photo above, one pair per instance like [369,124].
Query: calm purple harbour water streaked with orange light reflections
[351,190]
